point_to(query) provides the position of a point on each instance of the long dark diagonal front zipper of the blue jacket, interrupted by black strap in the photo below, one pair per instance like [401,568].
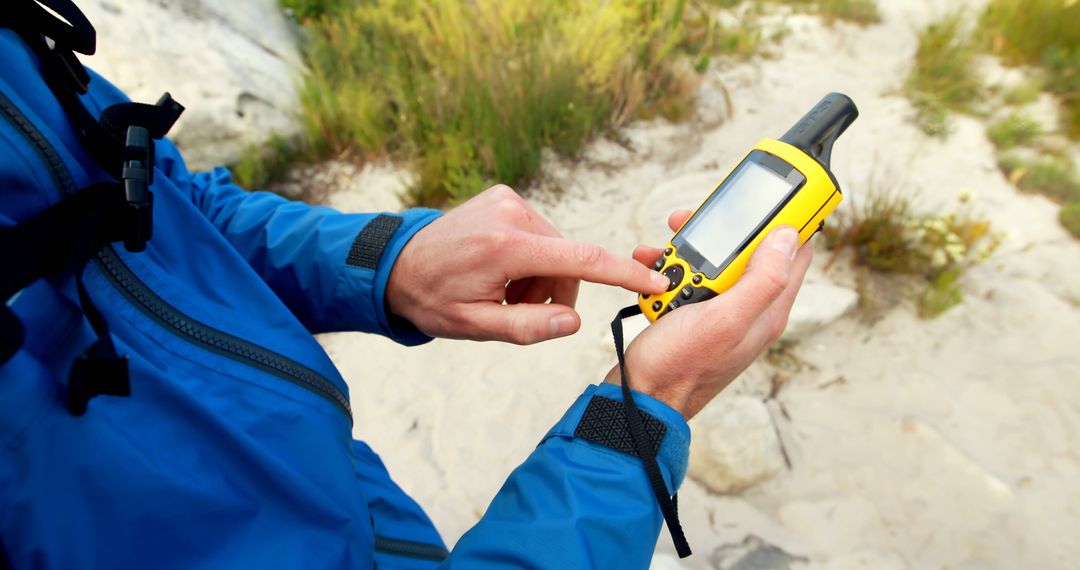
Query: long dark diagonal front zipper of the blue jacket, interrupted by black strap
[158,310]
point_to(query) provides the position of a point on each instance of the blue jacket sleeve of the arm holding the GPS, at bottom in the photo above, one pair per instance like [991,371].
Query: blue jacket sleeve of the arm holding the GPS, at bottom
[578,501]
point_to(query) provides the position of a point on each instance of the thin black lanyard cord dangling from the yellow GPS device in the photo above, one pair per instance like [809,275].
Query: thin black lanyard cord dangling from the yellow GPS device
[669,506]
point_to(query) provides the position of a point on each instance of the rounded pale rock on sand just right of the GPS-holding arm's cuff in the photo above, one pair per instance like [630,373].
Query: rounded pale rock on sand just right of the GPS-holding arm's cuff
[735,445]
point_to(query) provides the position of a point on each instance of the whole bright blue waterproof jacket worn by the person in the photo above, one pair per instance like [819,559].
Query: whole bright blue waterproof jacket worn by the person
[235,449]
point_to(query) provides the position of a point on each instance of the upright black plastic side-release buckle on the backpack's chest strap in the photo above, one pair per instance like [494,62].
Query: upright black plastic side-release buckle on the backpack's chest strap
[138,177]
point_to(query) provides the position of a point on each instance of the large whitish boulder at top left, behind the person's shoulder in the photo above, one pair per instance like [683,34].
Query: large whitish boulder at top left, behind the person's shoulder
[234,65]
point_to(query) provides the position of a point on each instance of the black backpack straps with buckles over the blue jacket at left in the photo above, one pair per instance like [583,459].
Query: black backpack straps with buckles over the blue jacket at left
[66,236]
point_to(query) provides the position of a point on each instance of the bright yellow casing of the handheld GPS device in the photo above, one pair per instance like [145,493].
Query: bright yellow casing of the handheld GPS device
[806,212]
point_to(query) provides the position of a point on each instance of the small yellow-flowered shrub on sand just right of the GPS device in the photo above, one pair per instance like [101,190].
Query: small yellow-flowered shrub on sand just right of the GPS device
[887,237]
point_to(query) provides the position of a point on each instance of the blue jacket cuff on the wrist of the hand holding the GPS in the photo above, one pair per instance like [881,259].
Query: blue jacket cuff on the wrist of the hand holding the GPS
[593,420]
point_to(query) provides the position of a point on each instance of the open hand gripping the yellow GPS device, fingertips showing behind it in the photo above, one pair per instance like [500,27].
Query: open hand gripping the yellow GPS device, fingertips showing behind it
[687,358]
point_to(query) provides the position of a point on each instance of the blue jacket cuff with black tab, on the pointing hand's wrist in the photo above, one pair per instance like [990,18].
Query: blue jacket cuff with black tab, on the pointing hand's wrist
[367,272]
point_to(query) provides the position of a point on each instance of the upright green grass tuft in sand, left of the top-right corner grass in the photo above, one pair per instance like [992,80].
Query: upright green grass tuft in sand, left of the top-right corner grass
[942,79]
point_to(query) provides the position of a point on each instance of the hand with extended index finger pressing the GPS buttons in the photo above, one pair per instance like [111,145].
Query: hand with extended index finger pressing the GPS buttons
[487,270]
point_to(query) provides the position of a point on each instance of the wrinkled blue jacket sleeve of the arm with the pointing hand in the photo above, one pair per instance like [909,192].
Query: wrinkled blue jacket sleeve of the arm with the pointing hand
[330,268]
